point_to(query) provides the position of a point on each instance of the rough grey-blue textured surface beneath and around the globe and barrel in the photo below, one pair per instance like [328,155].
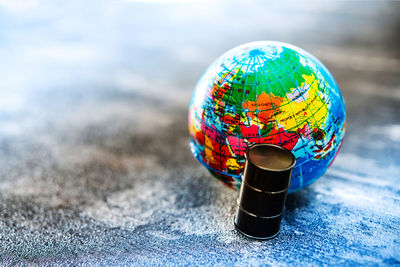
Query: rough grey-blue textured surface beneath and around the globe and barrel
[95,167]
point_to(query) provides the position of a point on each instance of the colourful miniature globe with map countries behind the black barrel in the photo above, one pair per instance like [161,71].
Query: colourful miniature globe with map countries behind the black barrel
[266,92]
